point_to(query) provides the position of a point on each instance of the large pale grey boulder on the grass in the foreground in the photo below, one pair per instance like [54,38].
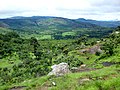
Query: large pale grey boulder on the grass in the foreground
[60,69]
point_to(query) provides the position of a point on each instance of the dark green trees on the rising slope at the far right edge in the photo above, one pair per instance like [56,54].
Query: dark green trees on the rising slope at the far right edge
[111,42]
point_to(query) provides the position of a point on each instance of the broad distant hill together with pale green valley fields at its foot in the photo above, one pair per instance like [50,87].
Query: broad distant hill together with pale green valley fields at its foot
[54,27]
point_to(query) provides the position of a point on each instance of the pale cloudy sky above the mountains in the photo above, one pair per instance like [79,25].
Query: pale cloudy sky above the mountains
[73,9]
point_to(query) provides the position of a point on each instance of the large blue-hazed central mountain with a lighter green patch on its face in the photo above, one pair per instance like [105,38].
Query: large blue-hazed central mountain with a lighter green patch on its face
[45,22]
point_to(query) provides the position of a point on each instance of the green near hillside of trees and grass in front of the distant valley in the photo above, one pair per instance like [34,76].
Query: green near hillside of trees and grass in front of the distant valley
[24,63]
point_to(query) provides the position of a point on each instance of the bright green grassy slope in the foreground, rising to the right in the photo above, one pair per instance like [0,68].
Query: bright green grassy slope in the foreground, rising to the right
[106,78]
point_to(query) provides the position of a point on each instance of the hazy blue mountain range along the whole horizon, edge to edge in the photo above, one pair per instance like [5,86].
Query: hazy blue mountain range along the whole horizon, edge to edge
[34,21]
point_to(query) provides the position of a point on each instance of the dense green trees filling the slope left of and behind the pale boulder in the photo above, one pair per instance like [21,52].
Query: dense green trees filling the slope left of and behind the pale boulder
[32,58]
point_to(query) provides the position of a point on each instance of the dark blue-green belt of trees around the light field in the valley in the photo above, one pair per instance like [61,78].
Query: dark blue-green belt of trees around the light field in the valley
[92,33]
